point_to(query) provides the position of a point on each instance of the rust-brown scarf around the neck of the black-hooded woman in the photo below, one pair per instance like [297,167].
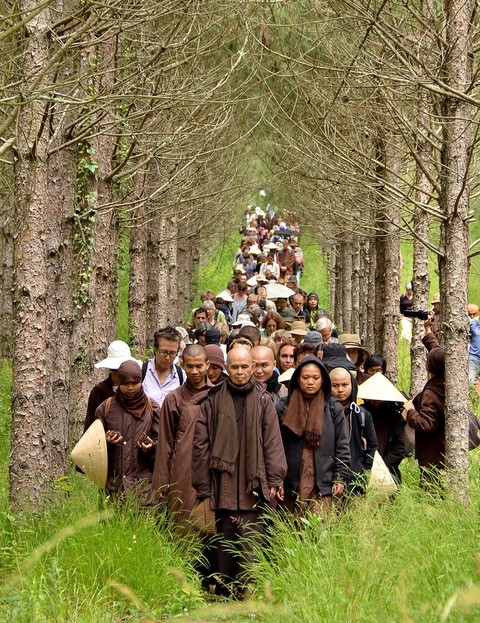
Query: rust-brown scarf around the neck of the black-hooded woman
[304,417]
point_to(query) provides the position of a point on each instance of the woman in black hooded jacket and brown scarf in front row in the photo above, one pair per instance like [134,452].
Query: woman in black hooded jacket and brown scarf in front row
[315,440]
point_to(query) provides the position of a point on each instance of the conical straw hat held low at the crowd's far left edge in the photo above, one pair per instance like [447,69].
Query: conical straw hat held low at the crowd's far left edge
[90,454]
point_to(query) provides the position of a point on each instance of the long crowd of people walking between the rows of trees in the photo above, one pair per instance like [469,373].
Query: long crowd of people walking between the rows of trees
[255,405]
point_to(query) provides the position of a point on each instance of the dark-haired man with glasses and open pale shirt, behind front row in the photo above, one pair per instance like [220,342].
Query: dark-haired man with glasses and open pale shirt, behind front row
[160,374]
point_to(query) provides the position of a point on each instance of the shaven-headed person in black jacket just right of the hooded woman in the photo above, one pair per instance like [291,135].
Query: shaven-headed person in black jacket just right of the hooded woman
[360,429]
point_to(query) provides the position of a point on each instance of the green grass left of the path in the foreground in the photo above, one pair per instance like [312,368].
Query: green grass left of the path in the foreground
[120,568]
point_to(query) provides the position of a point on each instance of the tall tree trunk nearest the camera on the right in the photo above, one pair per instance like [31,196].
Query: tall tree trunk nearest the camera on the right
[454,203]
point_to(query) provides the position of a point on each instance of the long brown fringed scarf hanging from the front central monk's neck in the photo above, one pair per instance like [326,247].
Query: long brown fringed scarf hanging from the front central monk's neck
[226,445]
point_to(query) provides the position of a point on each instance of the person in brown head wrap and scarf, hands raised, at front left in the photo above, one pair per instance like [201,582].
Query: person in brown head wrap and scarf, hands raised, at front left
[130,420]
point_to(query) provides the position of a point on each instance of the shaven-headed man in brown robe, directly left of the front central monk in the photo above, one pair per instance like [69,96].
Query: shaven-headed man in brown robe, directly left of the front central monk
[172,474]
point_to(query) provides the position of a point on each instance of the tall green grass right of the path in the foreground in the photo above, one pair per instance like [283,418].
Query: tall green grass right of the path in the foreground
[397,561]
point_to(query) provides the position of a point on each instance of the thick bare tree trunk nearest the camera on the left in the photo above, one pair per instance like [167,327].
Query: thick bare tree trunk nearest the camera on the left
[30,456]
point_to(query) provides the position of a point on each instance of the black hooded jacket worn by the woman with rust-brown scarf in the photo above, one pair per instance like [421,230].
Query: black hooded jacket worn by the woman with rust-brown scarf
[332,457]
